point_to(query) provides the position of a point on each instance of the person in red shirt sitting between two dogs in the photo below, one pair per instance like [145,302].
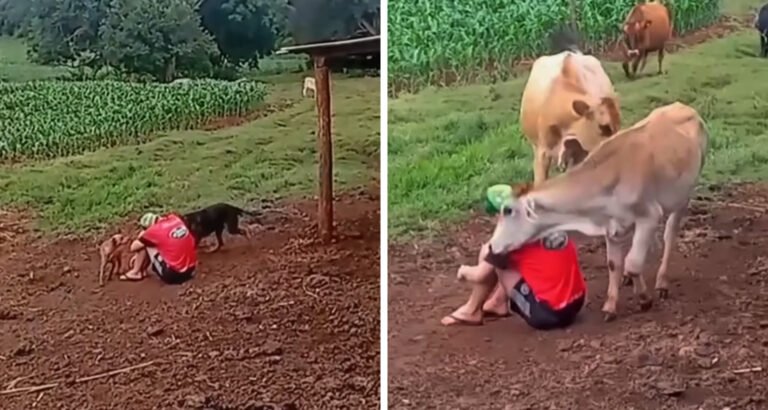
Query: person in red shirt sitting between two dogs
[167,246]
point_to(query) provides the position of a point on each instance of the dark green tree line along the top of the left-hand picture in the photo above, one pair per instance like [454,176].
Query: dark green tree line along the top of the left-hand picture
[167,39]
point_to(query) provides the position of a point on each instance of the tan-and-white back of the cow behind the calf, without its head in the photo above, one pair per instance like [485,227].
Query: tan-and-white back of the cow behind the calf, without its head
[546,95]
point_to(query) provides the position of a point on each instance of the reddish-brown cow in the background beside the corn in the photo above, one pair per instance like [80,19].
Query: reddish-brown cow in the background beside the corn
[647,28]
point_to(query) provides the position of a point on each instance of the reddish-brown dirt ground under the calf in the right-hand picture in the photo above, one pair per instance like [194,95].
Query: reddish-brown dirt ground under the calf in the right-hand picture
[706,347]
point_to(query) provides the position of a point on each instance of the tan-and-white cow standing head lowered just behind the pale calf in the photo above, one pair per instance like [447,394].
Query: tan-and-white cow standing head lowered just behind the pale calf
[568,107]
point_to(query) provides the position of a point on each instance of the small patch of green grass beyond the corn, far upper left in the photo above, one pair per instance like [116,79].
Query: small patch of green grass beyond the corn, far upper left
[14,65]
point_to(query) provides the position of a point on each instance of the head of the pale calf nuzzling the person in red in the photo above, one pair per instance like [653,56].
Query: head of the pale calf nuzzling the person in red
[517,225]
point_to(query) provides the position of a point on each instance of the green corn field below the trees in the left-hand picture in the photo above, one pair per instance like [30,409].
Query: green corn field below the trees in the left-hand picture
[48,119]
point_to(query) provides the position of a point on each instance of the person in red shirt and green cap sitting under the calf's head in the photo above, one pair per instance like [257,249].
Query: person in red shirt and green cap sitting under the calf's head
[541,281]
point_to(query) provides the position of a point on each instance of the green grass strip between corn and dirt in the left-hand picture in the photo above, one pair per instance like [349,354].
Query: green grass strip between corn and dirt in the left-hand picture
[274,156]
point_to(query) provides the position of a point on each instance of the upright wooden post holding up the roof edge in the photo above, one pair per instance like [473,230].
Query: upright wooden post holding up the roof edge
[324,149]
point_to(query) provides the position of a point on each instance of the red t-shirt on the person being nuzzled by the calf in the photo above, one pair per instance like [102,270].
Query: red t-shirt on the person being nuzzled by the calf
[550,266]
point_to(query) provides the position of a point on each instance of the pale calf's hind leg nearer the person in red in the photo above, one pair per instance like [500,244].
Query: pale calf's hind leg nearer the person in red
[634,263]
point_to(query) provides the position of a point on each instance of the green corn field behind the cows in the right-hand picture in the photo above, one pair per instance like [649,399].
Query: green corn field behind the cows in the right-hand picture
[431,40]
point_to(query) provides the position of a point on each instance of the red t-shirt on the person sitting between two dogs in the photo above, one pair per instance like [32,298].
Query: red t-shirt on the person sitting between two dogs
[173,242]
